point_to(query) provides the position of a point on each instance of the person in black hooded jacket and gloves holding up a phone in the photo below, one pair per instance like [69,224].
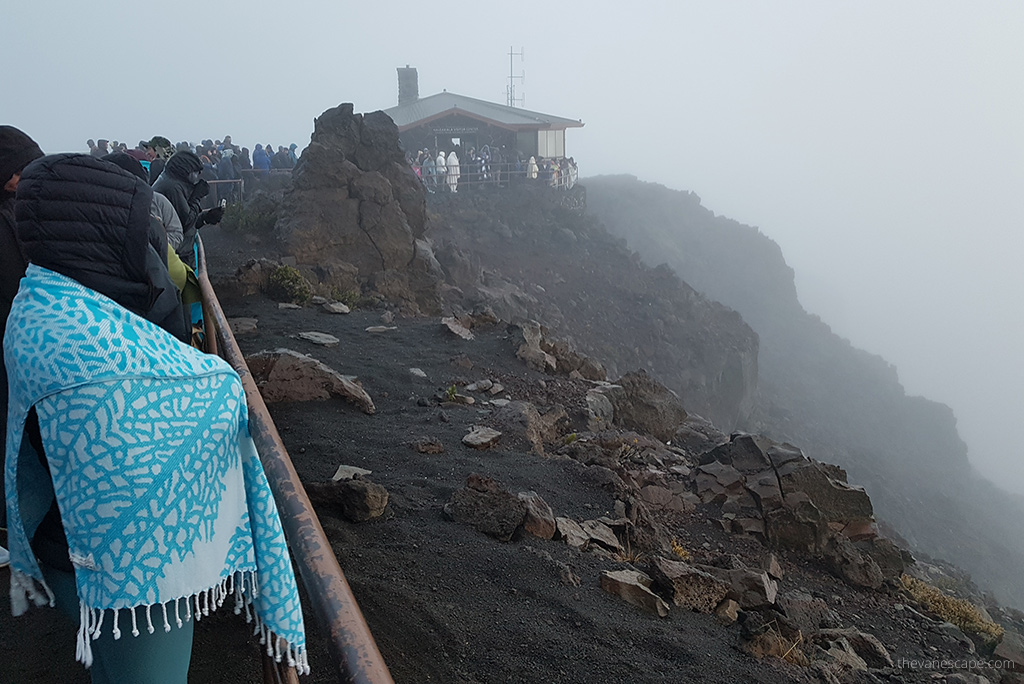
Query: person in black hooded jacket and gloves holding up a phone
[181,183]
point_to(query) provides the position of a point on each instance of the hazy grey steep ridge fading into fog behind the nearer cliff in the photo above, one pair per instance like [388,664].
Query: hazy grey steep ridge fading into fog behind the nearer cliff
[816,390]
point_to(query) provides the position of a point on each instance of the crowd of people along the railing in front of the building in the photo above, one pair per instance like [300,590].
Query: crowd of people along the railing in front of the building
[489,166]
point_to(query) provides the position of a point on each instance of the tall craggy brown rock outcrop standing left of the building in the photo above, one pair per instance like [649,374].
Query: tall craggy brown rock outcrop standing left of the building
[356,215]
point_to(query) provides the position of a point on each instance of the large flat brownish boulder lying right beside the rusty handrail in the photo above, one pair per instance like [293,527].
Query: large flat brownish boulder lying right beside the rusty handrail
[284,375]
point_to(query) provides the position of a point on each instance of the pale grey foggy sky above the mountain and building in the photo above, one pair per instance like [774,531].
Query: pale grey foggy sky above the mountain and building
[880,144]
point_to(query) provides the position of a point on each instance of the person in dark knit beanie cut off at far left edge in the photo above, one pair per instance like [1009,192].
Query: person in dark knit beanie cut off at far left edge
[17,151]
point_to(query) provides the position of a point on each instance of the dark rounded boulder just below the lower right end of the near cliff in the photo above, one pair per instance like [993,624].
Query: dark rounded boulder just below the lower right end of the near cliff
[642,404]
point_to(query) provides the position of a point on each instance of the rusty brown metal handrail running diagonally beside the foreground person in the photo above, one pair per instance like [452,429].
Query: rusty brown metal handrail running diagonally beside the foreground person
[353,648]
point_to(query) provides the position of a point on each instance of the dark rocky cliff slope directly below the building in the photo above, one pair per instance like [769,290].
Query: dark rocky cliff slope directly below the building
[520,253]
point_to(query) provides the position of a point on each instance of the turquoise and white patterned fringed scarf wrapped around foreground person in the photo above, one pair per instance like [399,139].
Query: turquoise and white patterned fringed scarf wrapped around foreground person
[162,495]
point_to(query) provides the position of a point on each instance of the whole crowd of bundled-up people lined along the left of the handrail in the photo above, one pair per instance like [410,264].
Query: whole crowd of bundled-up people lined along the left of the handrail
[133,488]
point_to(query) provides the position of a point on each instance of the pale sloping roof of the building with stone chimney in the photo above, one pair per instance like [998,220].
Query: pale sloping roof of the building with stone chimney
[444,104]
